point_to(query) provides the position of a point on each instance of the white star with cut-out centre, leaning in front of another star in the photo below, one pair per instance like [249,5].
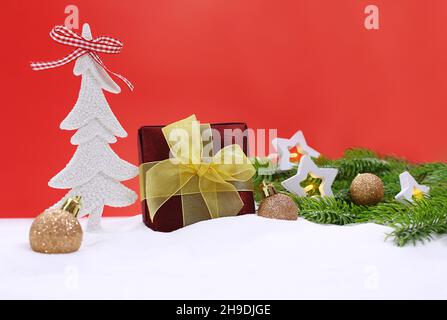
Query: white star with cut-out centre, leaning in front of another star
[308,167]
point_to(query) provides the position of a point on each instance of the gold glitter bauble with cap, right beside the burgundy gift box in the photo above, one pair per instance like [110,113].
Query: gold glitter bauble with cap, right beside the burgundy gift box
[277,205]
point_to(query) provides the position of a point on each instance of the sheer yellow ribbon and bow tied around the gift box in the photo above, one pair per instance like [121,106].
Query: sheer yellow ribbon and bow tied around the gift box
[208,185]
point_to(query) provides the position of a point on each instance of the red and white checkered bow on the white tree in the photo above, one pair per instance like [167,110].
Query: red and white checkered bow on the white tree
[67,37]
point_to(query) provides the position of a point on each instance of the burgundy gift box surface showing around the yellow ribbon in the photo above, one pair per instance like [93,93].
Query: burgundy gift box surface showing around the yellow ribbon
[152,146]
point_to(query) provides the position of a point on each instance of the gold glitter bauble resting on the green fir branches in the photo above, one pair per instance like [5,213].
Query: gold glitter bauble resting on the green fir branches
[366,189]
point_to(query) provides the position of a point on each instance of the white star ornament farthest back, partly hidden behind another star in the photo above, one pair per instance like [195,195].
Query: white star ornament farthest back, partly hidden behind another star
[283,147]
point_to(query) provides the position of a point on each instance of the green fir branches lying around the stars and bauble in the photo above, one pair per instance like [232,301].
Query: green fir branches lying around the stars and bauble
[411,222]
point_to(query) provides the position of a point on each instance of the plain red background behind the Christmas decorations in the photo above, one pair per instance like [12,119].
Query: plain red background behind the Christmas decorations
[298,64]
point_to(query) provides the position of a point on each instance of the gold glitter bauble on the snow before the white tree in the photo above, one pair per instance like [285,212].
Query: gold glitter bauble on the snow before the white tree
[57,230]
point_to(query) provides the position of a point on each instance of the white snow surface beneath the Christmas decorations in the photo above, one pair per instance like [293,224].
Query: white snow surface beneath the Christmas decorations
[244,257]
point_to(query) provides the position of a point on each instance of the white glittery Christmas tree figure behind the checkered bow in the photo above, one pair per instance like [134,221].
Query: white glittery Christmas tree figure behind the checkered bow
[95,171]
